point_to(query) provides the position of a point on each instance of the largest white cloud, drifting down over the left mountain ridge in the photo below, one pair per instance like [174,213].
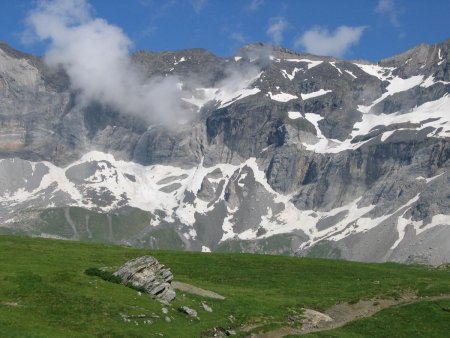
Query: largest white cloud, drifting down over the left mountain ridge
[95,55]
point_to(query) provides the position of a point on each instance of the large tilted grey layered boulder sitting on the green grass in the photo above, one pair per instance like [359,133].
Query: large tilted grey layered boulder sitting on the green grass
[148,274]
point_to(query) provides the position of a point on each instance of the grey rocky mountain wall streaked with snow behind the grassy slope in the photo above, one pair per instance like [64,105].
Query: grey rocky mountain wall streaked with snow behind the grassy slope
[287,153]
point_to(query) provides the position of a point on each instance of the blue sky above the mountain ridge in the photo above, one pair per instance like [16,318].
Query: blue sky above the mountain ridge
[350,29]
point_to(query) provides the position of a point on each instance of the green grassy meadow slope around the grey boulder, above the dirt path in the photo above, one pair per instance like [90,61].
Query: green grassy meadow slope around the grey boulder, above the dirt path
[44,291]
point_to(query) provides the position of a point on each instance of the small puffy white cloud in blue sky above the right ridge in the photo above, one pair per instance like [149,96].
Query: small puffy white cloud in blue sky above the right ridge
[321,41]
